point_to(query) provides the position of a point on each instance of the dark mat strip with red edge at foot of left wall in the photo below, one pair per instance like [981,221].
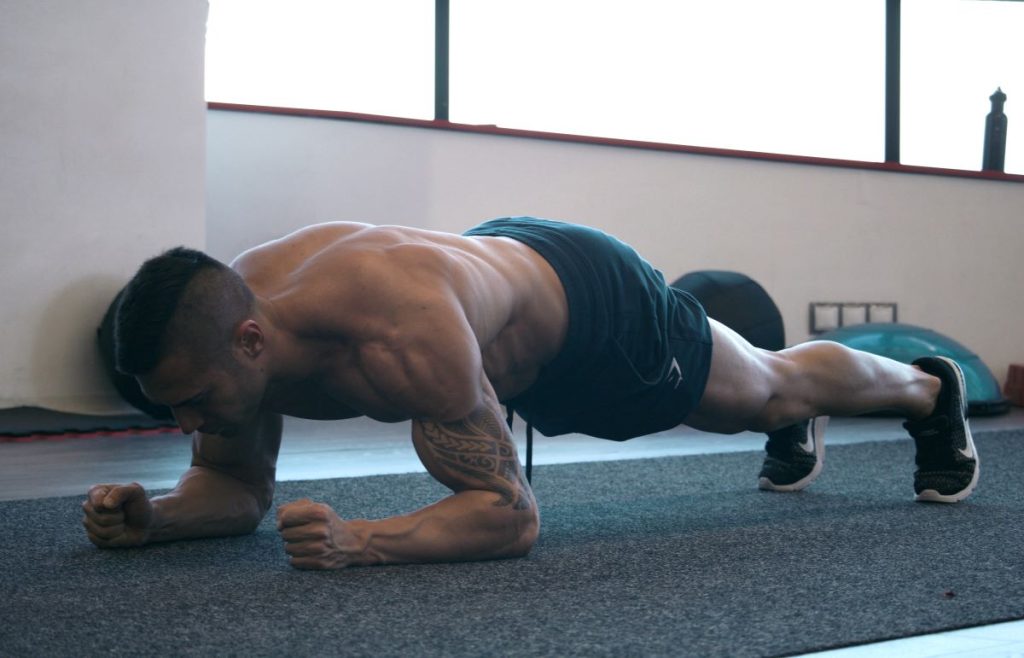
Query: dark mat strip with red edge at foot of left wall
[34,421]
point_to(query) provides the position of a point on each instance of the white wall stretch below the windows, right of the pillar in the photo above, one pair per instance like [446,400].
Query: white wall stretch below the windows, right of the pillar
[947,250]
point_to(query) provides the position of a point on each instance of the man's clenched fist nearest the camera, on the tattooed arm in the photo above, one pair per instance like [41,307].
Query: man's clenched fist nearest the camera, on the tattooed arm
[316,538]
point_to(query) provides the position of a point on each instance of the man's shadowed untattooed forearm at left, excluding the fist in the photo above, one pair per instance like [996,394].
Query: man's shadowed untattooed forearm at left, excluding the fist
[207,504]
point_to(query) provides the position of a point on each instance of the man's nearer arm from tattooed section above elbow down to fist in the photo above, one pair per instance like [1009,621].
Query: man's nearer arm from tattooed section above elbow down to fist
[492,513]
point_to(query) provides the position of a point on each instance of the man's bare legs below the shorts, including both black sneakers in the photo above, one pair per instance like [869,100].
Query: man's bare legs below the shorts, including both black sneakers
[782,393]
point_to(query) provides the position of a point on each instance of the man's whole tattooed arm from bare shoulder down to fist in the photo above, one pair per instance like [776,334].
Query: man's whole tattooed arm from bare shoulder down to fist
[426,361]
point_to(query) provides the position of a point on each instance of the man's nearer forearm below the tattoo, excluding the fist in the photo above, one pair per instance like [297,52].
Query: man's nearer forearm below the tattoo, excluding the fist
[470,525]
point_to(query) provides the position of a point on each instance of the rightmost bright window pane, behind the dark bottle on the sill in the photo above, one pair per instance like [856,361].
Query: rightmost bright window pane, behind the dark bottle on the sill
[955,55]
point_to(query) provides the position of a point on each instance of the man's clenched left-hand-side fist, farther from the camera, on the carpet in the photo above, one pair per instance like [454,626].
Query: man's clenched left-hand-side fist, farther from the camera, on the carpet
[117,515]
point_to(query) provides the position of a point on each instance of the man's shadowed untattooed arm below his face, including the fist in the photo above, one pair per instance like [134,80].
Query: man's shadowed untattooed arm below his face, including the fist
[227,492]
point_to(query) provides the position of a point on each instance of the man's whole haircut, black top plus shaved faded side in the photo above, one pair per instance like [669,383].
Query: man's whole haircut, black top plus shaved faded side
[181,282]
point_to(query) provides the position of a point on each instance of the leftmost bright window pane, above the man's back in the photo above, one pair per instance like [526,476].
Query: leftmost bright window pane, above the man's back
[372,58]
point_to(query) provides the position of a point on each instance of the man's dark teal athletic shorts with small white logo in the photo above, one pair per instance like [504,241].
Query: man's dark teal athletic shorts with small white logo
[637,353]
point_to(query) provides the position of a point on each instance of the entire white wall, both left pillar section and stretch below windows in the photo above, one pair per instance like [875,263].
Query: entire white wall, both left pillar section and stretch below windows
[102,130]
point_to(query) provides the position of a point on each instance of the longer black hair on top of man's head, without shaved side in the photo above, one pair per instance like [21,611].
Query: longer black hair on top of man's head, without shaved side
[148,304]
